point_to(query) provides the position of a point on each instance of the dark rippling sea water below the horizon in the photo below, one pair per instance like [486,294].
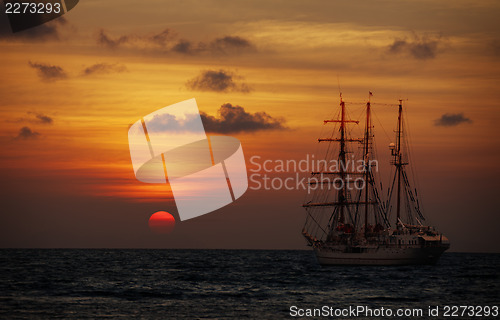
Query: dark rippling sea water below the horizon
[231,284]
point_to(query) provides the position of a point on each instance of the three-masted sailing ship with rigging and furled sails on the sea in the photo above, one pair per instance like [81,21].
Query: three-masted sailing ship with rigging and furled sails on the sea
[350,223]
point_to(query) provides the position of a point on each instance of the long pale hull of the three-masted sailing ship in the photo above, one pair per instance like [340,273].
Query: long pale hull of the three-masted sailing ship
[380,256]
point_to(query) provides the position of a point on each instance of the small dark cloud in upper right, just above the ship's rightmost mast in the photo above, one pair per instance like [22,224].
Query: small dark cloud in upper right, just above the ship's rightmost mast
[421,48]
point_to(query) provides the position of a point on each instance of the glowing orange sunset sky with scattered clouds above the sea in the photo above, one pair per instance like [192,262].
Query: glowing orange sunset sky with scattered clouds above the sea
[70,89]
